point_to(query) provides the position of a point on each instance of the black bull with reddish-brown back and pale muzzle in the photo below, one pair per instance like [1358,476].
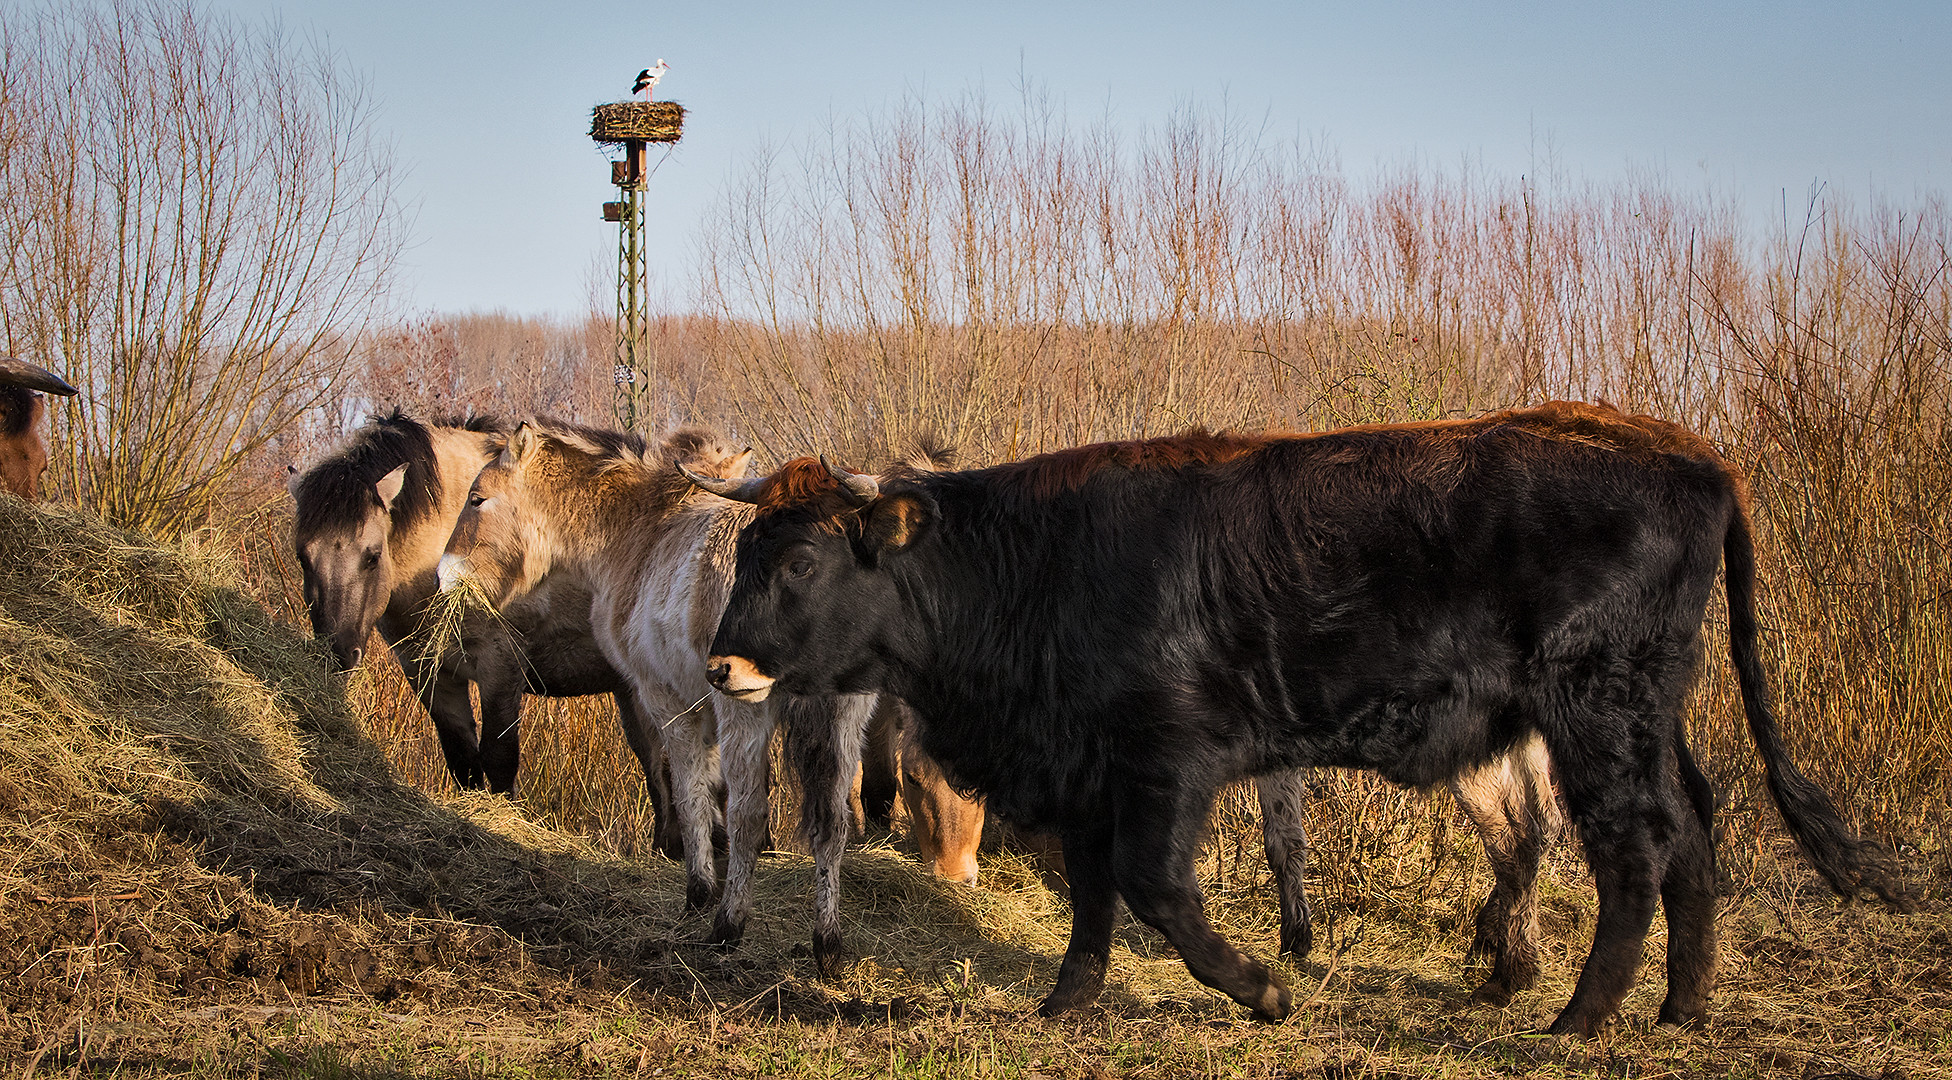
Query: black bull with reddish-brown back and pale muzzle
[1100,640]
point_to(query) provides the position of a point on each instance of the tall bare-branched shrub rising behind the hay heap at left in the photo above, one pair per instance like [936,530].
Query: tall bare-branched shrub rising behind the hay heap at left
[198,226]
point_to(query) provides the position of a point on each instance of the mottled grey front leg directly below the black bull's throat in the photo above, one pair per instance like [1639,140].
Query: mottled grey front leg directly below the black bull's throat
[825,739]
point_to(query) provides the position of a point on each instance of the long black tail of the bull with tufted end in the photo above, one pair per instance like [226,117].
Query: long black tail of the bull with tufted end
[1850,862]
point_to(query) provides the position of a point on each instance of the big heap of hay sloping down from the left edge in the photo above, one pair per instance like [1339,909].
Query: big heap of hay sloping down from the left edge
[192,817]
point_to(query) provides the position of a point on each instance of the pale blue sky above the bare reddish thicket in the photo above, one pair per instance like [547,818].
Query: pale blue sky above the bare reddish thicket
[489,103]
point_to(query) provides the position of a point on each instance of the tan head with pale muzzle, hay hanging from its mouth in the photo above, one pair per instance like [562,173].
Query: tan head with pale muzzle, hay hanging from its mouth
[544,495]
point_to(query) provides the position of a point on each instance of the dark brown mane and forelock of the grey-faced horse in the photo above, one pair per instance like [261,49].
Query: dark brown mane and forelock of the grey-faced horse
[335,491]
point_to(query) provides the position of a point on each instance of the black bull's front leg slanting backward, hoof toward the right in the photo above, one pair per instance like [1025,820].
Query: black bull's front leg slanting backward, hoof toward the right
[1155,845]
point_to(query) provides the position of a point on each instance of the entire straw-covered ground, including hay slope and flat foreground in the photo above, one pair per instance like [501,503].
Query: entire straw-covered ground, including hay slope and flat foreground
[208,868]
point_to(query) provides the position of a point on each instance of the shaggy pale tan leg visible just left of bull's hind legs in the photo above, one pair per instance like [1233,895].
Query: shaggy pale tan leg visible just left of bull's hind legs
[1518,817]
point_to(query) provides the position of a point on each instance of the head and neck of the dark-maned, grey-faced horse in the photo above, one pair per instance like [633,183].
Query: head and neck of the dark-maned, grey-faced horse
[362,511]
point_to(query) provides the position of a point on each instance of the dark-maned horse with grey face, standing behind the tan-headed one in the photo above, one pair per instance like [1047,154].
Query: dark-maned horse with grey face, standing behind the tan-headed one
[372,524]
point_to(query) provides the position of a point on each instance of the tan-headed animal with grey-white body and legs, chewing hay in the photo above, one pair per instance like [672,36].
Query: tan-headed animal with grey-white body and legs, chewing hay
[655,558]
